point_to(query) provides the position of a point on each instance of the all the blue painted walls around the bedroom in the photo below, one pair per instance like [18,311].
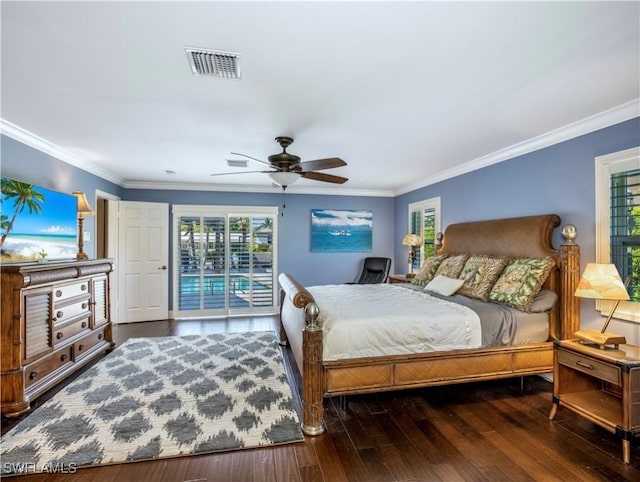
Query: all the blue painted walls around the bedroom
[557,179]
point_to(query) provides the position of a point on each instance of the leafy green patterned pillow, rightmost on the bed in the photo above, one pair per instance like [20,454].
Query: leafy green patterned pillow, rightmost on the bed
[520,281]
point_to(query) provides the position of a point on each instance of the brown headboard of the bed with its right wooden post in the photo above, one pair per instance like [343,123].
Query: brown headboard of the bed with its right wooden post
[528,236]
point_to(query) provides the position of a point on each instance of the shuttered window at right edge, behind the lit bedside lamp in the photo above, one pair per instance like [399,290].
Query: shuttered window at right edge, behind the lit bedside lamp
[625,227]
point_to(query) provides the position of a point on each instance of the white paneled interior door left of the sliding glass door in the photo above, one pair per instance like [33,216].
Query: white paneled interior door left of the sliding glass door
[143,258]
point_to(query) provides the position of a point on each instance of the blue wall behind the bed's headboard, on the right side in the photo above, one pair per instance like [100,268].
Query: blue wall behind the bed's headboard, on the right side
[558,179]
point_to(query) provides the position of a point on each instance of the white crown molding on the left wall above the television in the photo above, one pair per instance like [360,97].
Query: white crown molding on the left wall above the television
[36,142]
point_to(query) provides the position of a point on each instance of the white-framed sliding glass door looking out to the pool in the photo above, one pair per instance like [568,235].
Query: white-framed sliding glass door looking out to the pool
[224,260]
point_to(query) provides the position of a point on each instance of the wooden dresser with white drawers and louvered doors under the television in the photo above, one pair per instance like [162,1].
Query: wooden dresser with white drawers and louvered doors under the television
[55,317]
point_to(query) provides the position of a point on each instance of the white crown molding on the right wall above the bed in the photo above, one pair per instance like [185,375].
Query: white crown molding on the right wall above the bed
[607,118]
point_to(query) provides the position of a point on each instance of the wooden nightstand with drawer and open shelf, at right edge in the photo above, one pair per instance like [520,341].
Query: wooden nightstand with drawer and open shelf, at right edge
[601,385]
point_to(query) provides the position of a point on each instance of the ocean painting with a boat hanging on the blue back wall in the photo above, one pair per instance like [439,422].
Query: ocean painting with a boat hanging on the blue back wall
[341,231]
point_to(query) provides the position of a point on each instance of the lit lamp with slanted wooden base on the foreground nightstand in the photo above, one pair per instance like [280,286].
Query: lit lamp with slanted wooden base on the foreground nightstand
[602,282]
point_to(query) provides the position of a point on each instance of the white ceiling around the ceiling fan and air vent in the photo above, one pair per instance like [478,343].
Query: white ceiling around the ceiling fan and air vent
[405,93]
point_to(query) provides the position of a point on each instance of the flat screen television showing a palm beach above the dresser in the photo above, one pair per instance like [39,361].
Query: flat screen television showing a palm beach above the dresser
[36,224]
